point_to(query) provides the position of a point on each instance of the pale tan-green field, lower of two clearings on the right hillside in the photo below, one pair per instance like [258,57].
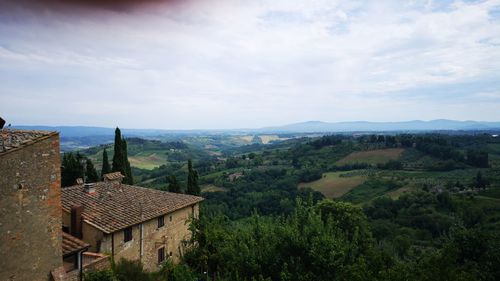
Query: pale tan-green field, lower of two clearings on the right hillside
[333,185]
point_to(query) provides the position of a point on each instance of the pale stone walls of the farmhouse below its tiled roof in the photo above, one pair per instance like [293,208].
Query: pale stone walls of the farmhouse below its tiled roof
[142,247]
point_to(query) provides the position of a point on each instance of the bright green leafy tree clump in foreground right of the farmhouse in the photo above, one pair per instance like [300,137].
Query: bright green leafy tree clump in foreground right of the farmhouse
[297,247]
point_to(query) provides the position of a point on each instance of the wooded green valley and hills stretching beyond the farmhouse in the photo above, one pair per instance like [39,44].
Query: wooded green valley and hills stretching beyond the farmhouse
[432,212]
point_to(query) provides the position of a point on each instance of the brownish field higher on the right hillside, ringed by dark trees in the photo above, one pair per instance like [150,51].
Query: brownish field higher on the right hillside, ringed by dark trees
[372,156]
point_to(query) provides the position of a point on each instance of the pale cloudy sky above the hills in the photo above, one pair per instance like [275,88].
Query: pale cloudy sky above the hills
[221,64]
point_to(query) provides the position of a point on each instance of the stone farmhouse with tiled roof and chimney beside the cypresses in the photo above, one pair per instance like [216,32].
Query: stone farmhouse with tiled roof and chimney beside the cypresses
[130,222]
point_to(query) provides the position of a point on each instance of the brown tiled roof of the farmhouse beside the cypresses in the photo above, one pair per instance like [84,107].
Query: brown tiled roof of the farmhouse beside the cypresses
[114,206]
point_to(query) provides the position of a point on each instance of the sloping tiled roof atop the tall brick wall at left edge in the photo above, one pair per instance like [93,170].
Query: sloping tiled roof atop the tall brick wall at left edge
[11,139]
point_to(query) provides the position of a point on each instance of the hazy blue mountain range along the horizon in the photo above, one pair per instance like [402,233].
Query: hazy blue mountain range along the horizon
[304,127]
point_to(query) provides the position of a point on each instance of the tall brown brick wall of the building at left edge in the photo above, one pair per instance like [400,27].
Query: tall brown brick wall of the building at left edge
[30,210]
